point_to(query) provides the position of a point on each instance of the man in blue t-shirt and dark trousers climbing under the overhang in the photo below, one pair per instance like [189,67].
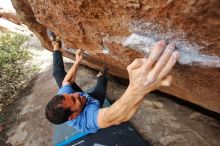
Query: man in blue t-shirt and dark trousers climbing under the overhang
[84,111]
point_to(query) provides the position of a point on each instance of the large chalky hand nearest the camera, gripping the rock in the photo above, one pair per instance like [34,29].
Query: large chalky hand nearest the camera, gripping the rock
[148,74]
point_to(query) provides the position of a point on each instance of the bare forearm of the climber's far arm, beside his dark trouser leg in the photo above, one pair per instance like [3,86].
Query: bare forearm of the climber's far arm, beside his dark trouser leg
[71,75]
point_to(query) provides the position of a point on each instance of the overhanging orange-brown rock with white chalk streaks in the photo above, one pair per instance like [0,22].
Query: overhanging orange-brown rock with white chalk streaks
[115,32]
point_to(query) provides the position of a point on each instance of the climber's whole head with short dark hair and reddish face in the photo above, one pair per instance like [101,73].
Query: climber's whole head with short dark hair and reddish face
[64,107]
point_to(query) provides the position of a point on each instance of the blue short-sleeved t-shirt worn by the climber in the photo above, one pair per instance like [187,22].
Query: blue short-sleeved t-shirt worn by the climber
[87,120]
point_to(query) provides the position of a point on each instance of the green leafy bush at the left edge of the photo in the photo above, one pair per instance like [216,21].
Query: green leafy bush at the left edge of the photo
[14,70]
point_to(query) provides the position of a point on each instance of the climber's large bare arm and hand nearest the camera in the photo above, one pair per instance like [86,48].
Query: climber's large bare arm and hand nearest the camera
[145,75]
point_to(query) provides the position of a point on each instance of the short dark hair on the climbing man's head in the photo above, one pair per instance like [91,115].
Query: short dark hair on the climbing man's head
[55,113]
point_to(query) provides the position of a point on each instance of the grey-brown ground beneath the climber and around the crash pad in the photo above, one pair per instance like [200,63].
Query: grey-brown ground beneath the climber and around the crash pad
[161,120]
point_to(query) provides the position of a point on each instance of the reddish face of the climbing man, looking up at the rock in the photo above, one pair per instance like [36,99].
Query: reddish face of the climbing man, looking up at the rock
[75,102]
